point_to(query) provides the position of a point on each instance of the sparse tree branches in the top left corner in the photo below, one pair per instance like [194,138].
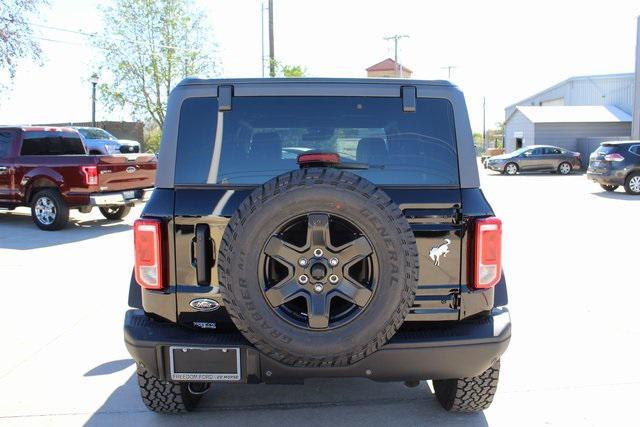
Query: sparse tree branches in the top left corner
[16,36]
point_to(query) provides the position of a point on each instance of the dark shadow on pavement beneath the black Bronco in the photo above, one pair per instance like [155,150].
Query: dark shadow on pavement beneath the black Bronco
[319,402]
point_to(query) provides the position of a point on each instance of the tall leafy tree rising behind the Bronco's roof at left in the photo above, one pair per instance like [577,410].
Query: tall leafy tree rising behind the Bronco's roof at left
[149,46]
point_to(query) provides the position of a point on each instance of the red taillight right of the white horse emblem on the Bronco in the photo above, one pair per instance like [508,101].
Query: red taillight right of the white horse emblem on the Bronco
[488,253]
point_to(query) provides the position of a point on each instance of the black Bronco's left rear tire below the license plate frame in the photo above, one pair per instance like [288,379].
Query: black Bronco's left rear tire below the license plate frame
[165,397]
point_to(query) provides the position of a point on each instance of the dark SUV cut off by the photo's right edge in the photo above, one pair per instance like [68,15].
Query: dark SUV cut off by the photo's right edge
[614,164]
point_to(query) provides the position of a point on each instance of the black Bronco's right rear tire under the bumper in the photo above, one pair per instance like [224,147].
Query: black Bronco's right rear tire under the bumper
[468,394]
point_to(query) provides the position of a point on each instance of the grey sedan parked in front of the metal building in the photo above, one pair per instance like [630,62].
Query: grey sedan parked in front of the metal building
[536,158]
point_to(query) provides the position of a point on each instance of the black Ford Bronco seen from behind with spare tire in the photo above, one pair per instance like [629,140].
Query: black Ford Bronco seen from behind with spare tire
[317,228]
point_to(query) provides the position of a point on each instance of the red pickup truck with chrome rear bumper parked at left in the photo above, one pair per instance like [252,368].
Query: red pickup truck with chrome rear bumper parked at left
[49,170]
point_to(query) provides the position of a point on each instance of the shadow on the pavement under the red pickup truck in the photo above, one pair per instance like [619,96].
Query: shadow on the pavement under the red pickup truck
[17,231]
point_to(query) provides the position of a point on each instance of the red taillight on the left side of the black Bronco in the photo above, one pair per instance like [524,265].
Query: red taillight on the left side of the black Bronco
[147,240]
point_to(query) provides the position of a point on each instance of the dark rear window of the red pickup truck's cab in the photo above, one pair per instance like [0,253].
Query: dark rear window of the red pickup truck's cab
[51,144]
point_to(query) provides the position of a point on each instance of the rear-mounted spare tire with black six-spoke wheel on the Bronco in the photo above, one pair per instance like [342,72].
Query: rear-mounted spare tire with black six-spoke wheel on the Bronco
[318,267]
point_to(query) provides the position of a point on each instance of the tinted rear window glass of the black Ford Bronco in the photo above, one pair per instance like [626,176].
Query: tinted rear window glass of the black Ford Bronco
[261,138]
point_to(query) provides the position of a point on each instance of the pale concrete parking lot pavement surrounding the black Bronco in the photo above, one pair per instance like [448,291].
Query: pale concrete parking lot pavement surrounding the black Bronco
[571,261]
